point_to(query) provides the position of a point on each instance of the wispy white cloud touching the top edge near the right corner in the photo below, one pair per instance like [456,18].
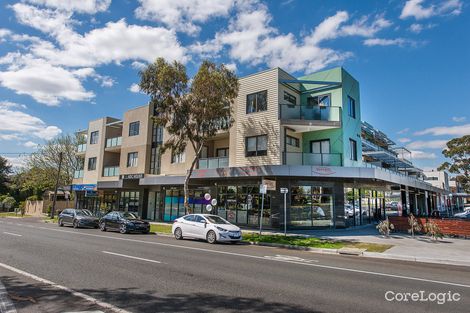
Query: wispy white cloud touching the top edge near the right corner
[416,9]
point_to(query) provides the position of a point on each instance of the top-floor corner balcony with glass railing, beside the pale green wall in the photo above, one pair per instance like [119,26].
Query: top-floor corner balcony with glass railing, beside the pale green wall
[305,118]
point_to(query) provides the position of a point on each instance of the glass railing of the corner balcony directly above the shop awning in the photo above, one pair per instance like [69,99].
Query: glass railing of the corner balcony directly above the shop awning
[314,159]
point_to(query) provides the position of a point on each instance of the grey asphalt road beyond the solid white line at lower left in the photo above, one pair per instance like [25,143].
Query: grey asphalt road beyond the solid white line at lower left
[149,273]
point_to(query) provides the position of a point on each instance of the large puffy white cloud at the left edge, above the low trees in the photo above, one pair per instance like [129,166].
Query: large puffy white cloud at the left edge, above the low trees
[46,83]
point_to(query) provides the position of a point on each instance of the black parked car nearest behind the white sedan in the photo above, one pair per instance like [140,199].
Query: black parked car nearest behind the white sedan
[124,222]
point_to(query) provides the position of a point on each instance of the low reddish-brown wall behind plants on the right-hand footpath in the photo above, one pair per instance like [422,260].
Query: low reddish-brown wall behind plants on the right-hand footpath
[447,226]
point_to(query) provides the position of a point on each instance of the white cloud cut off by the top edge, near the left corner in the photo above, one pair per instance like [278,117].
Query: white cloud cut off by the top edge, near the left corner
[81,6]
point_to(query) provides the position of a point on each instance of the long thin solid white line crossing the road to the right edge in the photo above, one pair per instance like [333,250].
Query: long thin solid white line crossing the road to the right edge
[337,268]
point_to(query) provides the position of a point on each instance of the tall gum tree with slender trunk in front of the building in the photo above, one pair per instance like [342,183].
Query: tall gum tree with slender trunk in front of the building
[191,112]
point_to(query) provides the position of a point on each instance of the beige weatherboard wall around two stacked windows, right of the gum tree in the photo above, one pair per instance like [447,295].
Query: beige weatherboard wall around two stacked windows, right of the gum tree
[258,123]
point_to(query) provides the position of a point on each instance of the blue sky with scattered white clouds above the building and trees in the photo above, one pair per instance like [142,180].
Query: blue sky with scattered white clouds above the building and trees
[63,63]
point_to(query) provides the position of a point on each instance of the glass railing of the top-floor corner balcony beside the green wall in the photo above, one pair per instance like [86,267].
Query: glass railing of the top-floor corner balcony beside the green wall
[310,112]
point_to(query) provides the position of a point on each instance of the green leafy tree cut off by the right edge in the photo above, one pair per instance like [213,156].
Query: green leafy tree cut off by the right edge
[458,151]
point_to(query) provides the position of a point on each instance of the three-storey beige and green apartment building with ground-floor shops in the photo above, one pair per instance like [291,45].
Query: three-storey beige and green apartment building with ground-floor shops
[304,134]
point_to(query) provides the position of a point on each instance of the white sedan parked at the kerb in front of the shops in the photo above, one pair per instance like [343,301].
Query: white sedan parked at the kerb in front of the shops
[212,228]
